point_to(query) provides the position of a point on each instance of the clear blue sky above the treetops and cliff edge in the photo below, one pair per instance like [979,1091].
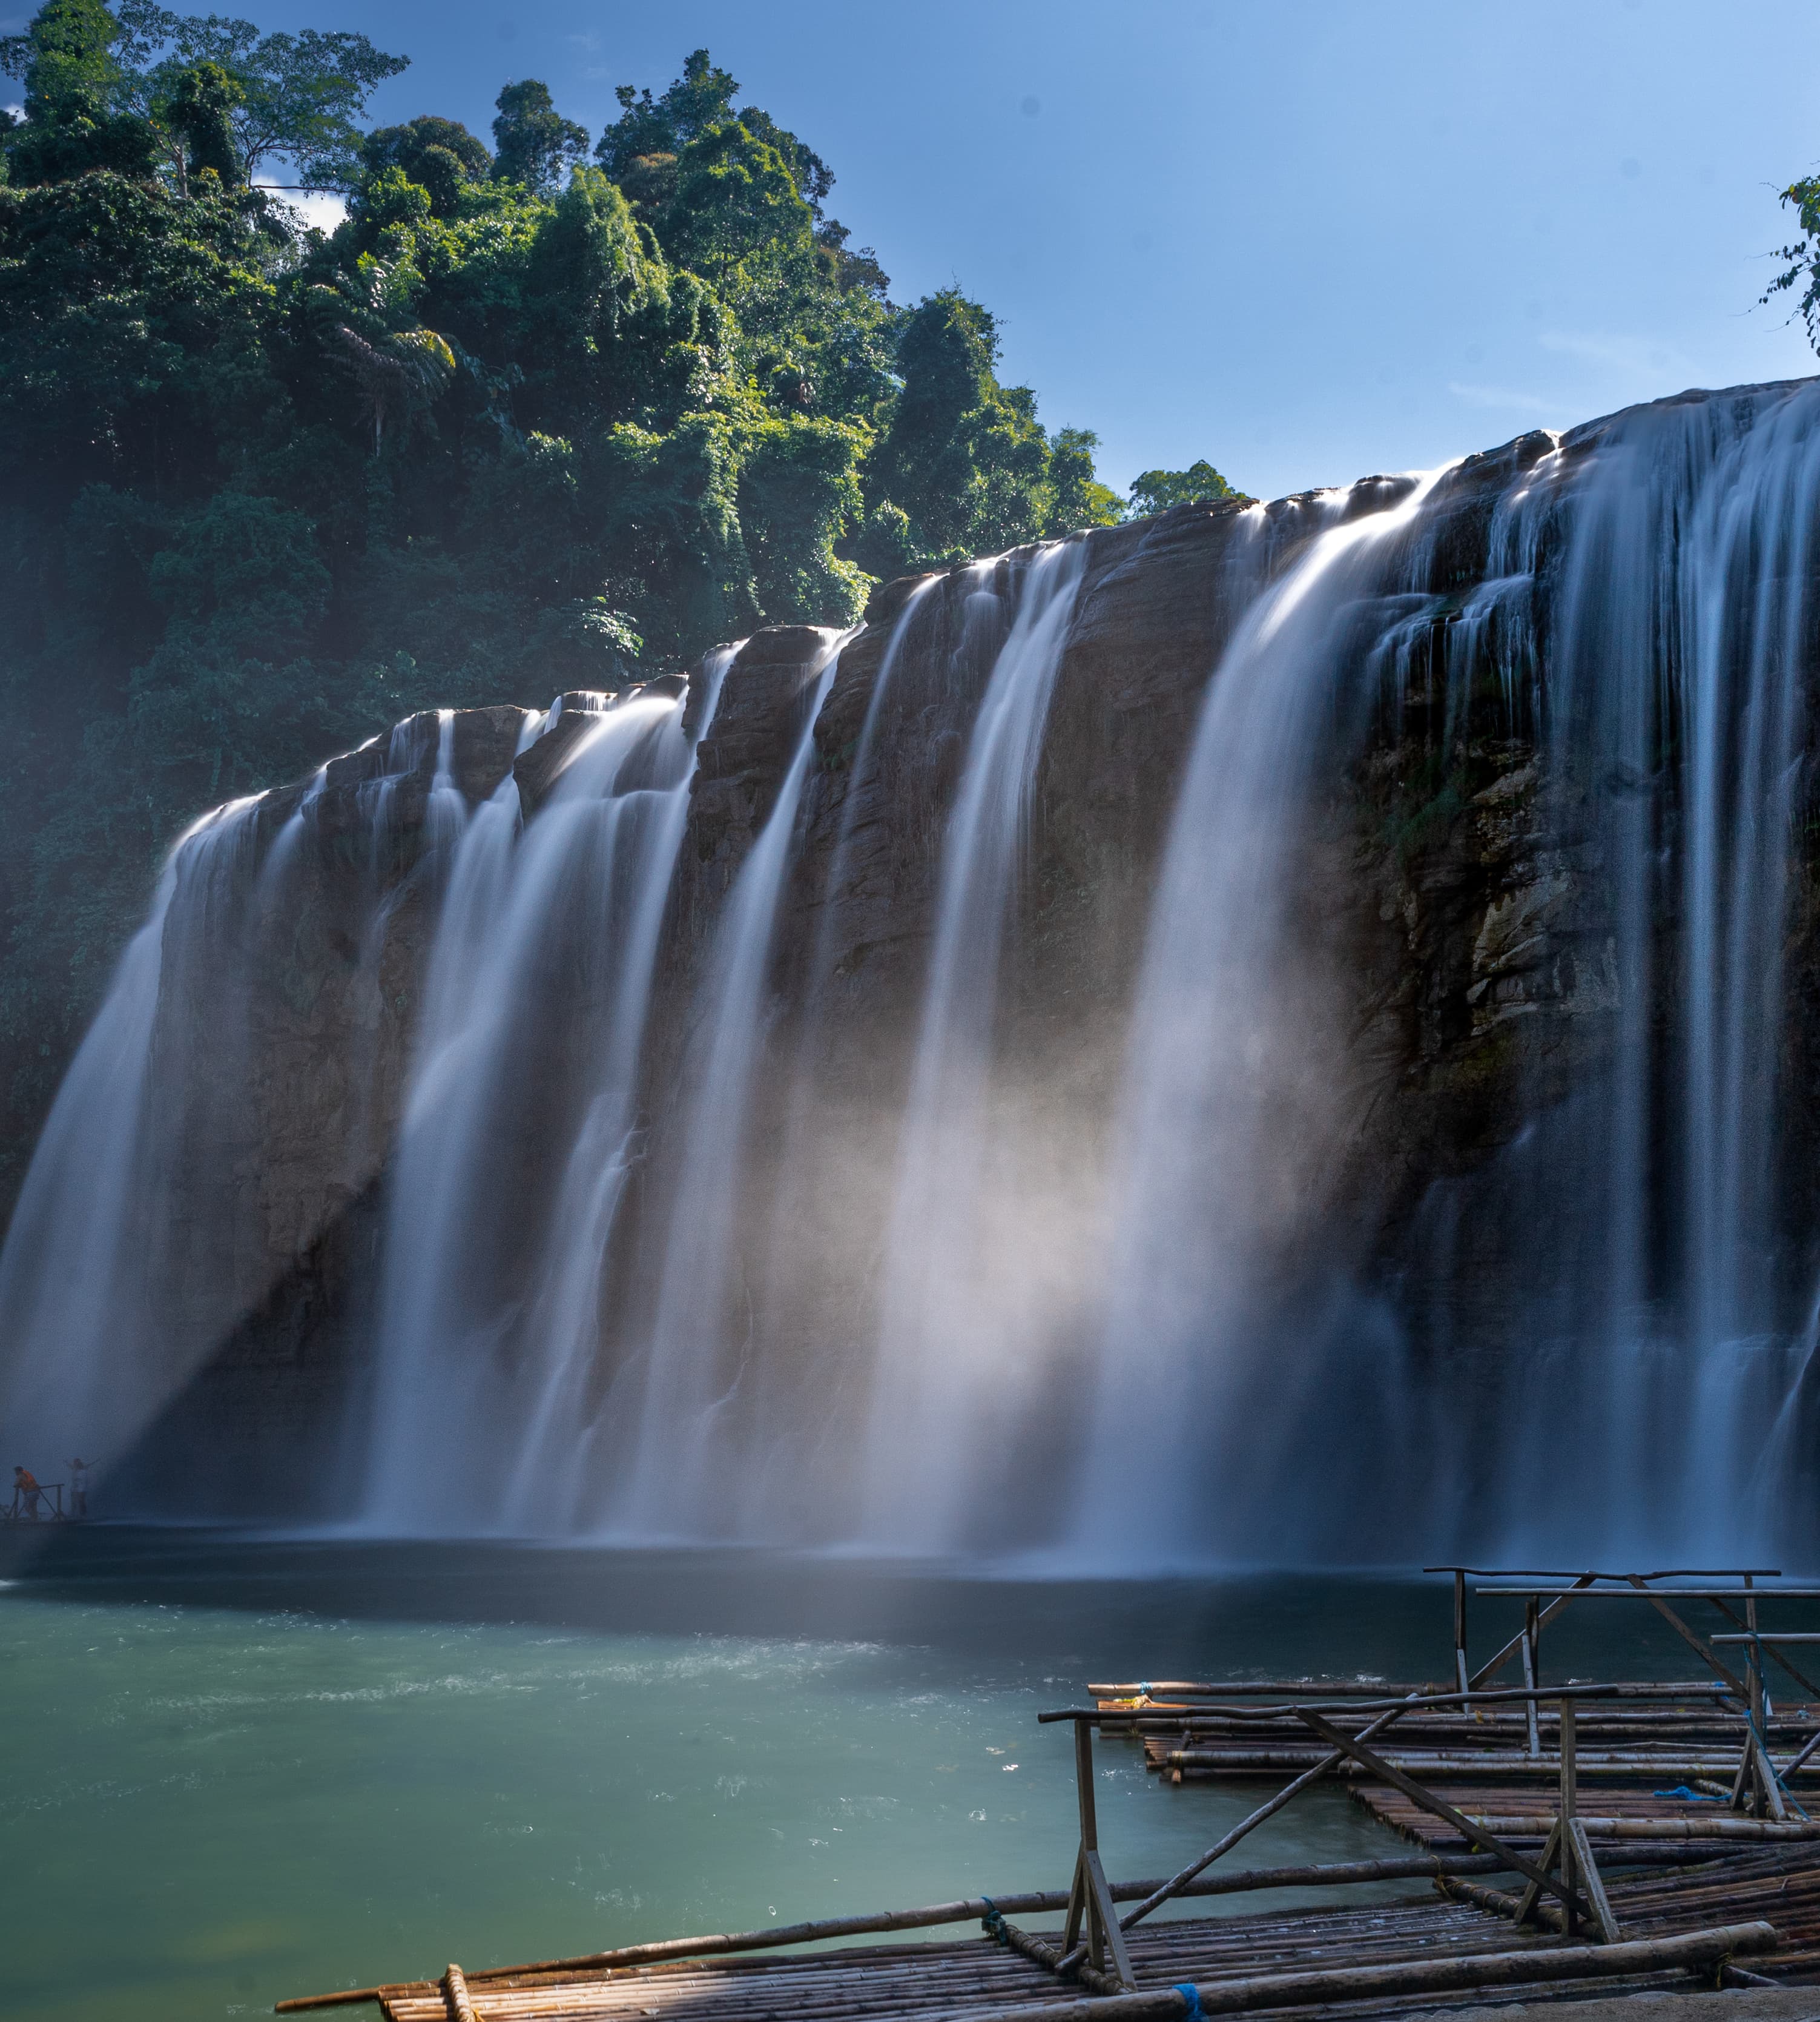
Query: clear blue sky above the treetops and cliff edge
[1305,240]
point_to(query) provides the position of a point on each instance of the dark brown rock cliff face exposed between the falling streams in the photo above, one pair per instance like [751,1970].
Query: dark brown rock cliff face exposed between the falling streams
[1455,891]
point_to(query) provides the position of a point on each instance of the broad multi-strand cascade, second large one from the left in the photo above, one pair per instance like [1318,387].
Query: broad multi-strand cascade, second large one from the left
[525,1081]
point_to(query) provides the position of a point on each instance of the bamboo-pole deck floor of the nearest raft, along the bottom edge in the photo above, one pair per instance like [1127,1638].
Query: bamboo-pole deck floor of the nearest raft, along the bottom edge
[978,1977]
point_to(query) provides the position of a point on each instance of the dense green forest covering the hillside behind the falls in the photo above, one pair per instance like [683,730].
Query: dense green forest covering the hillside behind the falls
[545,413]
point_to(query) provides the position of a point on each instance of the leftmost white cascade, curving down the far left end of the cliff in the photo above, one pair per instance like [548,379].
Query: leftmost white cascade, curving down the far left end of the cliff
[136,1247]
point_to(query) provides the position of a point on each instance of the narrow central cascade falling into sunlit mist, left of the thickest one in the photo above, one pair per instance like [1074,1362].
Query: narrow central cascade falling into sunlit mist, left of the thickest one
[960,1356]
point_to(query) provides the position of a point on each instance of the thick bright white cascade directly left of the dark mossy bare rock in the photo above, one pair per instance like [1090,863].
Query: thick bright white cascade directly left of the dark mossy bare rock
[1233,1103]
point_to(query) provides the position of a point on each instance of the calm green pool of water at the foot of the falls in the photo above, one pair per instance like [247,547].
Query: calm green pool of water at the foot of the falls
[240,1770]
